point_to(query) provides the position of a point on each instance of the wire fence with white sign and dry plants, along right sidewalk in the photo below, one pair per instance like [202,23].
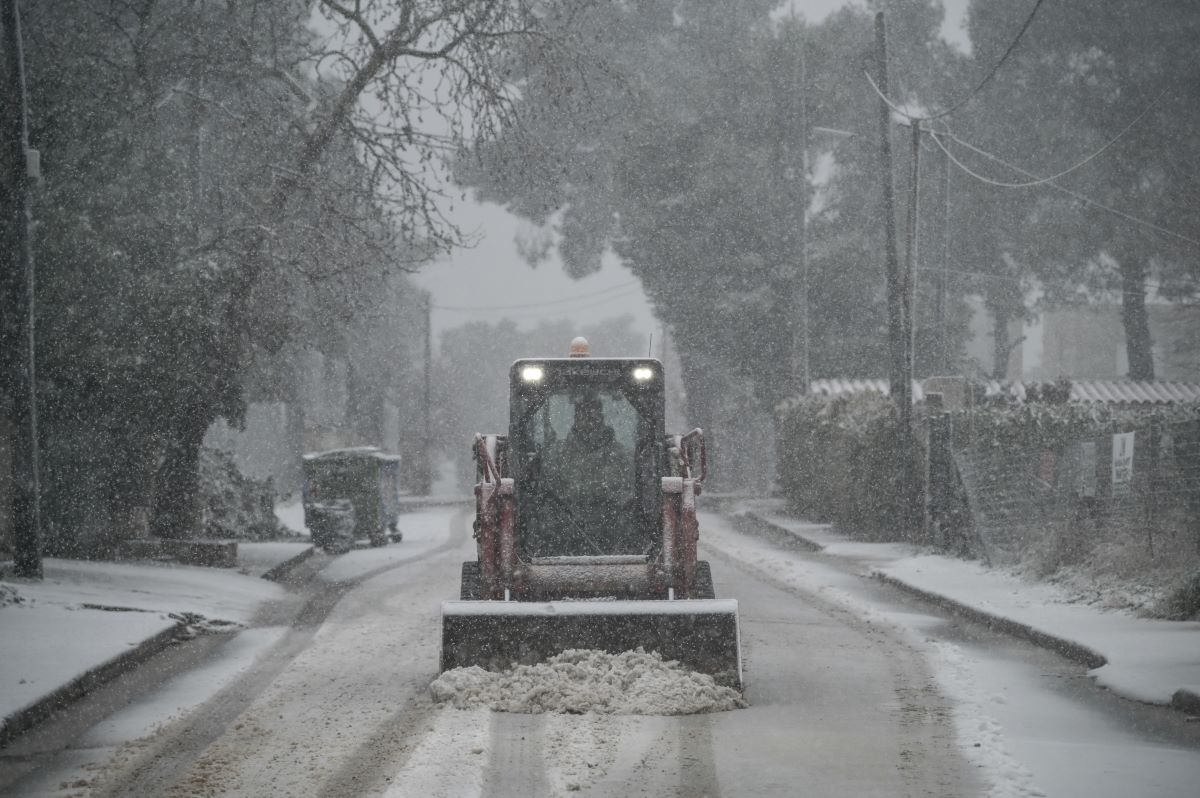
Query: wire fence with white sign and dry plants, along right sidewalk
[1141,487]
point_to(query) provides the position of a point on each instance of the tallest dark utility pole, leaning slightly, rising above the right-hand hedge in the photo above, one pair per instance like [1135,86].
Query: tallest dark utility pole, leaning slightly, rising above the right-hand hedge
[892,263]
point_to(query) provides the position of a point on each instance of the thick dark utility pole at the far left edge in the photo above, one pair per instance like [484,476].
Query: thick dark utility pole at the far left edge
[17,335]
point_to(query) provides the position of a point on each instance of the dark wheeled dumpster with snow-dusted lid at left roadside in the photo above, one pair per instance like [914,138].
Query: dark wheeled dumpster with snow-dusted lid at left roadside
[364,477]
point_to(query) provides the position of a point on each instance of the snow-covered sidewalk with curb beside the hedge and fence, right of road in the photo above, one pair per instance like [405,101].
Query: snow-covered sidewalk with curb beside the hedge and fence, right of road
[1148,661]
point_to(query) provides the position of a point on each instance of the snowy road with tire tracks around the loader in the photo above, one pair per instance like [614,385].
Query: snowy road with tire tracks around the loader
[851,691]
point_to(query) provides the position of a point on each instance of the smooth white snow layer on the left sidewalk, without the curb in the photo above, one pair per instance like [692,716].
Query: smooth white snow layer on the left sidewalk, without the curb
[86,614]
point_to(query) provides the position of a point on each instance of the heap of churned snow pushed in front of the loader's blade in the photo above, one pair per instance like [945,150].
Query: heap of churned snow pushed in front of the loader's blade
[578,681]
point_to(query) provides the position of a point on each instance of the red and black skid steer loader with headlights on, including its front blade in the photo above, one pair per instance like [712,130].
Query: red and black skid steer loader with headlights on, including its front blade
[586,527]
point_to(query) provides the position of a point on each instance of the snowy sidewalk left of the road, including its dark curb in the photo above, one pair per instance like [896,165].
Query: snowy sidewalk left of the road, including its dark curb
[87,622]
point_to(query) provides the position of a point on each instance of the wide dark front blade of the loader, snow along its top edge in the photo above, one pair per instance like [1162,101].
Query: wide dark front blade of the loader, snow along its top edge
[701,634]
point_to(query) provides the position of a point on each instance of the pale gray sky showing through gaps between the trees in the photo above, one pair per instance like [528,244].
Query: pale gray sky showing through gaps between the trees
[494,275]
